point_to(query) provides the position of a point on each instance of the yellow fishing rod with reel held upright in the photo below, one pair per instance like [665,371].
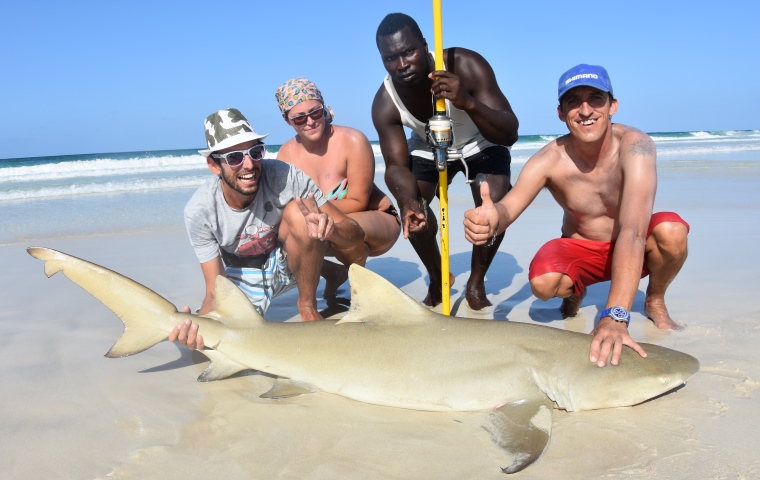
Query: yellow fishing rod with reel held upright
[440,136]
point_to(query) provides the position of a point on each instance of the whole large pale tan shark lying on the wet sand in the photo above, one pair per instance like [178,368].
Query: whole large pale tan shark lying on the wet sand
[390,350]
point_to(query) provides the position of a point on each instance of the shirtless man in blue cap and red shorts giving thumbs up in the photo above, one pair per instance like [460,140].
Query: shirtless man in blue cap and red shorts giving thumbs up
[604,177]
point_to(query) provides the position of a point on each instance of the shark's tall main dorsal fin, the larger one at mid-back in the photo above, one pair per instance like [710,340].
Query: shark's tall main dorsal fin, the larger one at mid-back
[376,300]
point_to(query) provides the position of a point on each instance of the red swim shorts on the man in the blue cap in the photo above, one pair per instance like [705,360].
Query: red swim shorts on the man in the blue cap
[586,262]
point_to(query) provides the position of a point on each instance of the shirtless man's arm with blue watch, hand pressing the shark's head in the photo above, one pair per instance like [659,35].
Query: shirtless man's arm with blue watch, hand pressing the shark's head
[639,185]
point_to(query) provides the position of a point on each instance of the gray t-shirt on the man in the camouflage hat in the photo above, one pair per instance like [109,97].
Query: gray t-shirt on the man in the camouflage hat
[245,238]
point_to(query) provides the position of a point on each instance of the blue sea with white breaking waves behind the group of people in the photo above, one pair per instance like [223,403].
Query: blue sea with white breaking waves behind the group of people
[43,197]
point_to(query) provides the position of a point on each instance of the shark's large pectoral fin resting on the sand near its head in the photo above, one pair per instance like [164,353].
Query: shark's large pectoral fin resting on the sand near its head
[522,430]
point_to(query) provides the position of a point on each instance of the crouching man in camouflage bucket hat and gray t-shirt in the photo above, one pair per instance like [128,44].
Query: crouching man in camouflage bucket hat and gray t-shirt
[262,223]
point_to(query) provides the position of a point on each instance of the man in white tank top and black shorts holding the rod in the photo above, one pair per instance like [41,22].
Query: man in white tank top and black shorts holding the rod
[484,126]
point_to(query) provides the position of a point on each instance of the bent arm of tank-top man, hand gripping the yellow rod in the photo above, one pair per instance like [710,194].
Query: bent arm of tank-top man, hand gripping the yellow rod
[470,85]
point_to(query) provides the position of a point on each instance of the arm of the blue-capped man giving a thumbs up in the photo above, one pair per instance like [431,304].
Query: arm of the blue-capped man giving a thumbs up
[481,224]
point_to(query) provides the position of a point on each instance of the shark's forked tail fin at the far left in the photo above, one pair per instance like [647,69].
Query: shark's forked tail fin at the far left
[148,317]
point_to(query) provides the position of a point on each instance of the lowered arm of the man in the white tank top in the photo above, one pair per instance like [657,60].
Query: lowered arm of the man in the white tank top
[395,150]
